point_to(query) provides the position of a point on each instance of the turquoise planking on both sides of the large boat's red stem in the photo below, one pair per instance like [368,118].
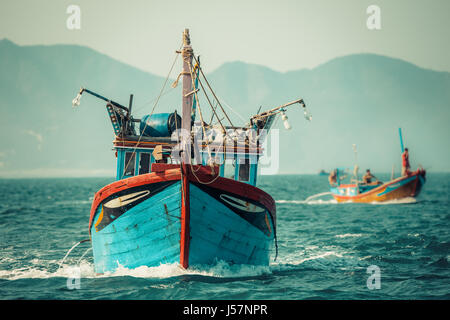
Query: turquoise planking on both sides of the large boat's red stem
[148,235]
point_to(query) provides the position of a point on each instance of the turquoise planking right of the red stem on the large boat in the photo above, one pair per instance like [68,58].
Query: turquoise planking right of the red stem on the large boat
[219,233]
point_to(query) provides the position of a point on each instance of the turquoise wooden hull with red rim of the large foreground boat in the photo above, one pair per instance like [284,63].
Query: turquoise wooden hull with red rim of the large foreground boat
[168,216]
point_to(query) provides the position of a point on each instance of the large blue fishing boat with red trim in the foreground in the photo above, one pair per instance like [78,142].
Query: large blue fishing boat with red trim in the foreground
[185,190]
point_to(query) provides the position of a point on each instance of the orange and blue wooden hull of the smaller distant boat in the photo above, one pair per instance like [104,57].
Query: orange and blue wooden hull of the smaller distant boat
[397,189]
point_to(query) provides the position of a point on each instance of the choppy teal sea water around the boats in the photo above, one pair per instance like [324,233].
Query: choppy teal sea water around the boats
[326,250]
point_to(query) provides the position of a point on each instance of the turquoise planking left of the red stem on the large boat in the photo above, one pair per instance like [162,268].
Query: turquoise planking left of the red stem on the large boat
[144,235]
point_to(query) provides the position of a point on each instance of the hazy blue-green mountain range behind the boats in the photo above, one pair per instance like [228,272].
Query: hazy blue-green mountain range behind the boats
[357,99]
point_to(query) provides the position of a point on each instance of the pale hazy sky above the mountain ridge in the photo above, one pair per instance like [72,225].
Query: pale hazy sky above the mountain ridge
[283,35]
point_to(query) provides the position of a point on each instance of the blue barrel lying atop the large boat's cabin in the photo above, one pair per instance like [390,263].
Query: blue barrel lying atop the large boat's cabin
[160,124]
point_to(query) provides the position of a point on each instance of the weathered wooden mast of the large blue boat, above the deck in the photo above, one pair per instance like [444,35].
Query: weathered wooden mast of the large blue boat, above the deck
[187,54]
